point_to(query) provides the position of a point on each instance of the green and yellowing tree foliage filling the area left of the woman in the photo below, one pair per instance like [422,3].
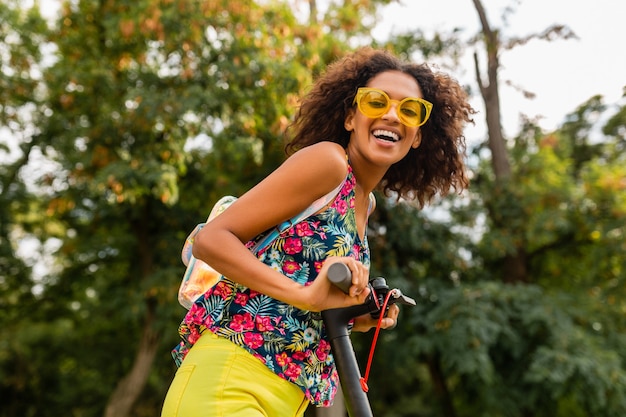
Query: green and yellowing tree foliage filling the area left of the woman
[150,111]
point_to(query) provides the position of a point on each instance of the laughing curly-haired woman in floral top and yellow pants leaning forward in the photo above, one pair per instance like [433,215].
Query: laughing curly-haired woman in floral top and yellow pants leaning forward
[254,344]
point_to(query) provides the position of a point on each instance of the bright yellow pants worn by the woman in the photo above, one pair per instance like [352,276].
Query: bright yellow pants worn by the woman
[220,379]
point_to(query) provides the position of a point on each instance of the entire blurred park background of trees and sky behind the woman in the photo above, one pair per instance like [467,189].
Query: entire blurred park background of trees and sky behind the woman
[121,122]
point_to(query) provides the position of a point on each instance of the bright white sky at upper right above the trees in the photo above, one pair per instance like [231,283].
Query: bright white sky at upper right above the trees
[563,74]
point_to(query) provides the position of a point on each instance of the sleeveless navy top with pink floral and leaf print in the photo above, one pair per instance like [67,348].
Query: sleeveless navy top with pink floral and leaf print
[289,341]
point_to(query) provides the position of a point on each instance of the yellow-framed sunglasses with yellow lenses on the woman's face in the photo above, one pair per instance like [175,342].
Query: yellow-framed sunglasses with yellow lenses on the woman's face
[411,111]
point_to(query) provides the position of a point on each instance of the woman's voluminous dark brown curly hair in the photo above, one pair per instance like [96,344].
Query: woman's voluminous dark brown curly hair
[435,167]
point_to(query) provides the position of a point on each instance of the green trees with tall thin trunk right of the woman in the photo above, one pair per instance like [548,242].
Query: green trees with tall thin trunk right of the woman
[486,339]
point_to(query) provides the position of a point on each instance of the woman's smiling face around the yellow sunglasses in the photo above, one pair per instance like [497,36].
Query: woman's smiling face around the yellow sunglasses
[385,140]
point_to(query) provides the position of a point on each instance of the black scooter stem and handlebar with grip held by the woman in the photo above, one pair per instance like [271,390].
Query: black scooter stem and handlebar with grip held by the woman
[336,323]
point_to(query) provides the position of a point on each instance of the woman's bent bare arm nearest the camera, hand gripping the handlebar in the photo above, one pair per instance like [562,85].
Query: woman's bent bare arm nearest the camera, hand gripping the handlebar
[304,177]
